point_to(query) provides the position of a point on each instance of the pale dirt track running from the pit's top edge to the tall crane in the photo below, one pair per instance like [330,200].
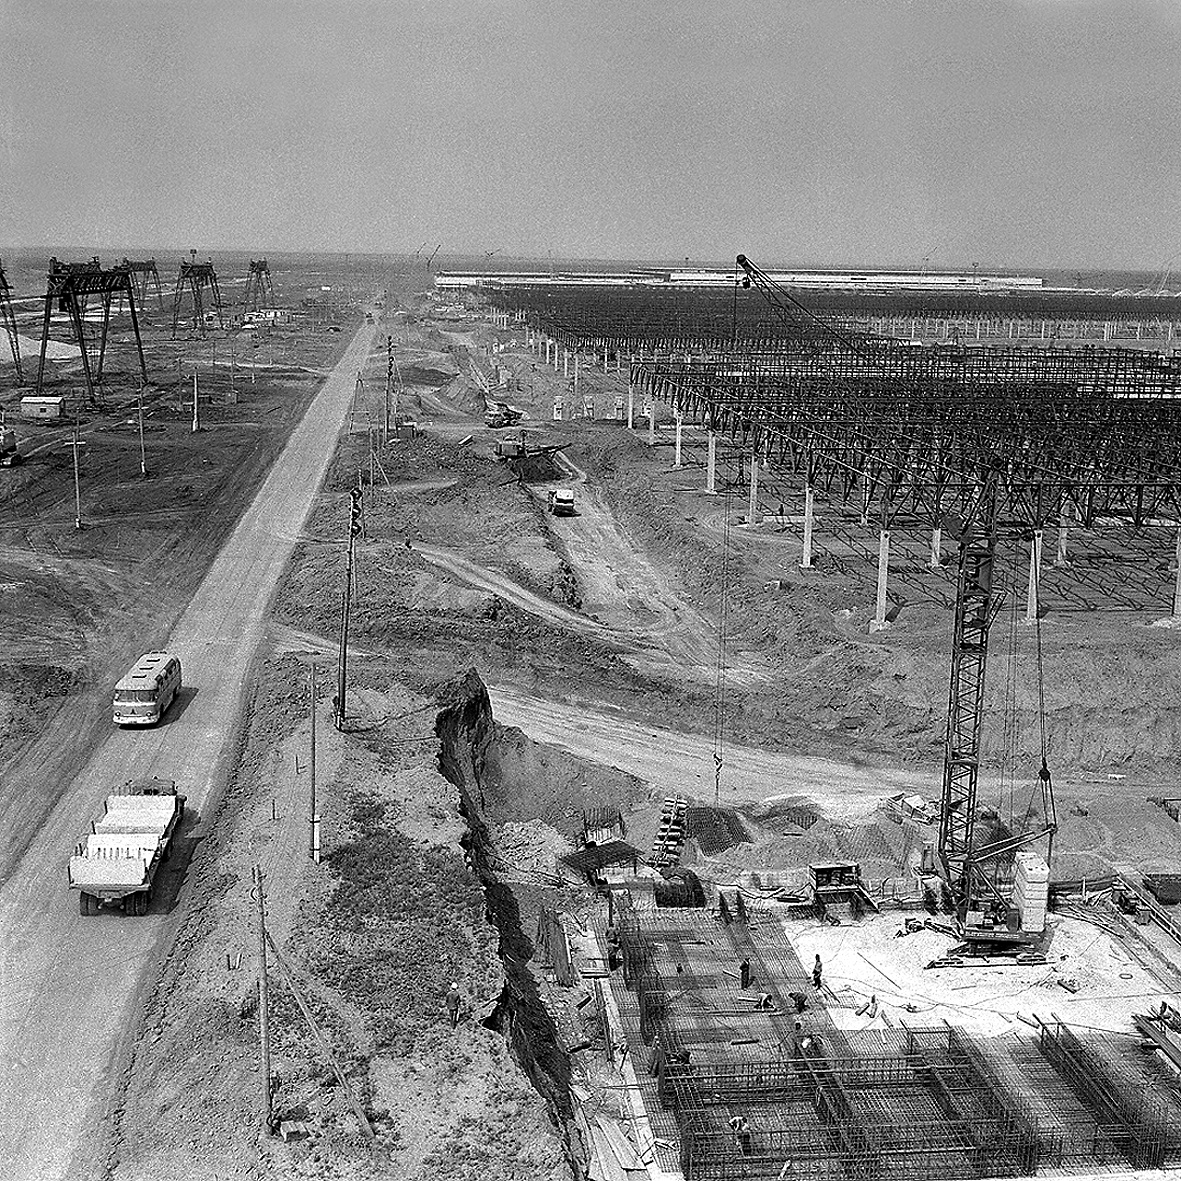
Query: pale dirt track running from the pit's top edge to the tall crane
[677,762]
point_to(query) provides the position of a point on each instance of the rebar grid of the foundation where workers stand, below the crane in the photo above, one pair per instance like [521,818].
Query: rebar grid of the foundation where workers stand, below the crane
[899,1106]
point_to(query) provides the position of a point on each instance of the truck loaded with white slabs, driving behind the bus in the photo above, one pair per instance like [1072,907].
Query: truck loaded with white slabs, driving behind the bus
[118,863]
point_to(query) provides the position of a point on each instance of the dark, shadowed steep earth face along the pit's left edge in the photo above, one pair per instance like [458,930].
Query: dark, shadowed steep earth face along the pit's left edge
[466,733]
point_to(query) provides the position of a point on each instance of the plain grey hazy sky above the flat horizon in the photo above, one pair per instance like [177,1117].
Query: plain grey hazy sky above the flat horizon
[1036,133]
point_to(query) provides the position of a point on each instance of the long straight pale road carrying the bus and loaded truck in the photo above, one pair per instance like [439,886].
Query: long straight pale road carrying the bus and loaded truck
[69,986]
